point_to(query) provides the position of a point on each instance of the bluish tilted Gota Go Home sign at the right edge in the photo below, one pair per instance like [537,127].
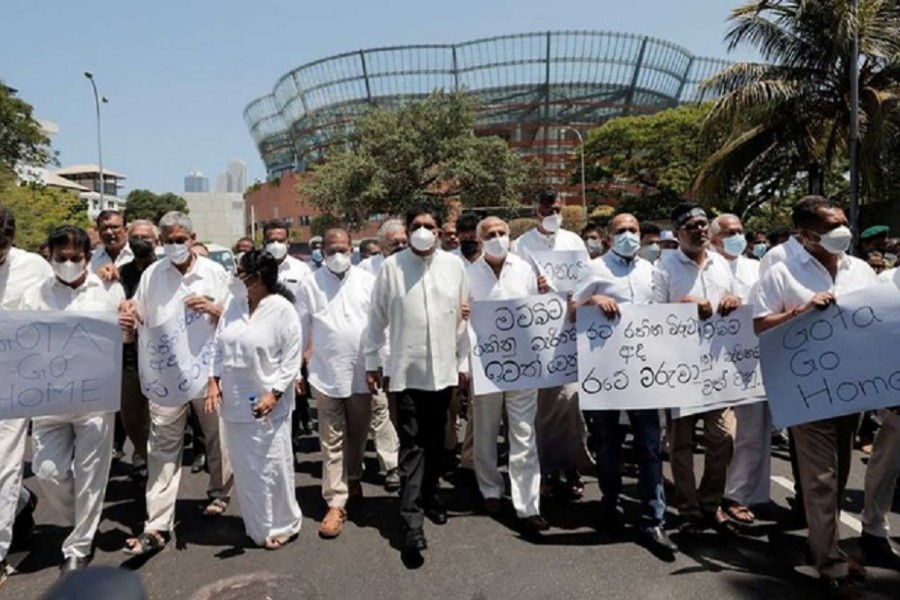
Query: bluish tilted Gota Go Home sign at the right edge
[838,361]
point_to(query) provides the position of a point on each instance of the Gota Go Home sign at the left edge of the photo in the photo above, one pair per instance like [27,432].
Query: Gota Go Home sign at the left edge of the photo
[59,363]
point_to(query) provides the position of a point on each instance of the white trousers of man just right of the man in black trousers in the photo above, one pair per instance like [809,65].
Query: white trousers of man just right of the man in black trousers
[524,465]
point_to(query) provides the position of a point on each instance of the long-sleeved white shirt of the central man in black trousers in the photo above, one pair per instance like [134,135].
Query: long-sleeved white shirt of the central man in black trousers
[420,299]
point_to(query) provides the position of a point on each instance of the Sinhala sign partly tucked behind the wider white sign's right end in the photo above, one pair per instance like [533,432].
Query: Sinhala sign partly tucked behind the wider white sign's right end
[730,357]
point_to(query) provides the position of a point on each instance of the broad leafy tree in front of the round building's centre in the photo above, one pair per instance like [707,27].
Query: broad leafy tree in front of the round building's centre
[396,156]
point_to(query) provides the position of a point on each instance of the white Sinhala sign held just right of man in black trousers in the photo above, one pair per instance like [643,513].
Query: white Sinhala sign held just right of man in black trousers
[522,344]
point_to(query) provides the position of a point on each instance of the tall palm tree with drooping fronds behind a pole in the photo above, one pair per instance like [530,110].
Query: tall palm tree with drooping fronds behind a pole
[790,114]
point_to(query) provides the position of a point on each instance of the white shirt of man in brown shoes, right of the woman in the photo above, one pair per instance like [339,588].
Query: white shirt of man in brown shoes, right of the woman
[334,314]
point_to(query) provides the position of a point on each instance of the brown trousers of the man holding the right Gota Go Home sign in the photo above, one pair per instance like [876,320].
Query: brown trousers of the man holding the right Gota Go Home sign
[824,451]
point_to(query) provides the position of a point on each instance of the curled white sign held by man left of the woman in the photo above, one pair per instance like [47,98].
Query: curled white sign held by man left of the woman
[174,358]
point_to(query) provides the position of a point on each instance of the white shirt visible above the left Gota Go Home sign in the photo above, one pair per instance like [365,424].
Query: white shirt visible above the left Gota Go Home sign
[93,295]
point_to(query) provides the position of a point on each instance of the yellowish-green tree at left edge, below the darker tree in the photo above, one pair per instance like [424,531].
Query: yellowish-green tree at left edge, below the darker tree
[39,209]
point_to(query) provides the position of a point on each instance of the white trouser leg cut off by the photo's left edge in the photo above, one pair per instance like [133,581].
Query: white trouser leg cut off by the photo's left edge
[12,456]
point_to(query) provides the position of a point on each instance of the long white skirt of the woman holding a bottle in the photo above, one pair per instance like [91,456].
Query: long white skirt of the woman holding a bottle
[263,461]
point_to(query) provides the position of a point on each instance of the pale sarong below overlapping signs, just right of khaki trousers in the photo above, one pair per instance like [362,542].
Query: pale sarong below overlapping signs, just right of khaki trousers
[749,474]
